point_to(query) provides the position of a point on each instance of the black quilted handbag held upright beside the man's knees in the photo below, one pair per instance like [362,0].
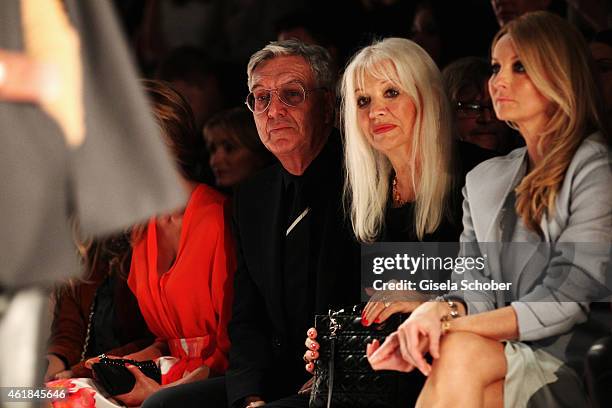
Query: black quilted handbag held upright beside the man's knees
[344,378]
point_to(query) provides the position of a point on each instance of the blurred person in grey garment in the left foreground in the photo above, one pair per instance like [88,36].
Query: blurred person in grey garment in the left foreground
[76,137]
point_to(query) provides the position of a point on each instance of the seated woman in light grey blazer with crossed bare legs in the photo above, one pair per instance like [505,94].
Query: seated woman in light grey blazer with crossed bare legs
[553,201]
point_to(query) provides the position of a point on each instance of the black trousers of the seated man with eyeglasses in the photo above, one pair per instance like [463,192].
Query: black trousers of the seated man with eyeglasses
[209,394]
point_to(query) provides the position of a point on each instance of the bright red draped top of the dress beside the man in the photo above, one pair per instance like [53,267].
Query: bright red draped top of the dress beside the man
[189,305]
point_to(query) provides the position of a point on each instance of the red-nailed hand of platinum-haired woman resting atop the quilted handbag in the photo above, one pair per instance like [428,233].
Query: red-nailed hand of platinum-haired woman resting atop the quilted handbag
[383,304]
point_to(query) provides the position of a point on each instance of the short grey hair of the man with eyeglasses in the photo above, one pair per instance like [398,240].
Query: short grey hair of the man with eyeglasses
[317,57]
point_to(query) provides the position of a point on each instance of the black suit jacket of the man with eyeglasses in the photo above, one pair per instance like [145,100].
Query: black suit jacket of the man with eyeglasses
[267,347]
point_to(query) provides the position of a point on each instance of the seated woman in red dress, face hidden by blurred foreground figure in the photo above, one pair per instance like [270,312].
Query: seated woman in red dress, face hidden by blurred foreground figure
[182,269]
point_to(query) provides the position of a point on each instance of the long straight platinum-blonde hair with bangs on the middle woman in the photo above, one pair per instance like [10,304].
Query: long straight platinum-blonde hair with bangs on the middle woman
[368,172]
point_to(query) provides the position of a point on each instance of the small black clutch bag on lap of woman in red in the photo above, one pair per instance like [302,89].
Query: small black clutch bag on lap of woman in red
[116,379]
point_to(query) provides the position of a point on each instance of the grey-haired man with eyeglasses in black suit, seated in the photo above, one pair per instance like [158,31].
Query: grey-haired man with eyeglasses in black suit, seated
[296,255]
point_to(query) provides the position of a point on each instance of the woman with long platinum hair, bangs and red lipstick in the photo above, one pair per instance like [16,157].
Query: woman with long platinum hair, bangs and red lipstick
[404,170]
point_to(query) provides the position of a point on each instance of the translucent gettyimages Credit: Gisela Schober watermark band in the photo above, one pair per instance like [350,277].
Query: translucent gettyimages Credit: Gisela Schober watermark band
[414,271]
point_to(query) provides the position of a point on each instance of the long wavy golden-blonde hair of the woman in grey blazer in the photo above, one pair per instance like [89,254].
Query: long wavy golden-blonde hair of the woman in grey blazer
[556,58]
